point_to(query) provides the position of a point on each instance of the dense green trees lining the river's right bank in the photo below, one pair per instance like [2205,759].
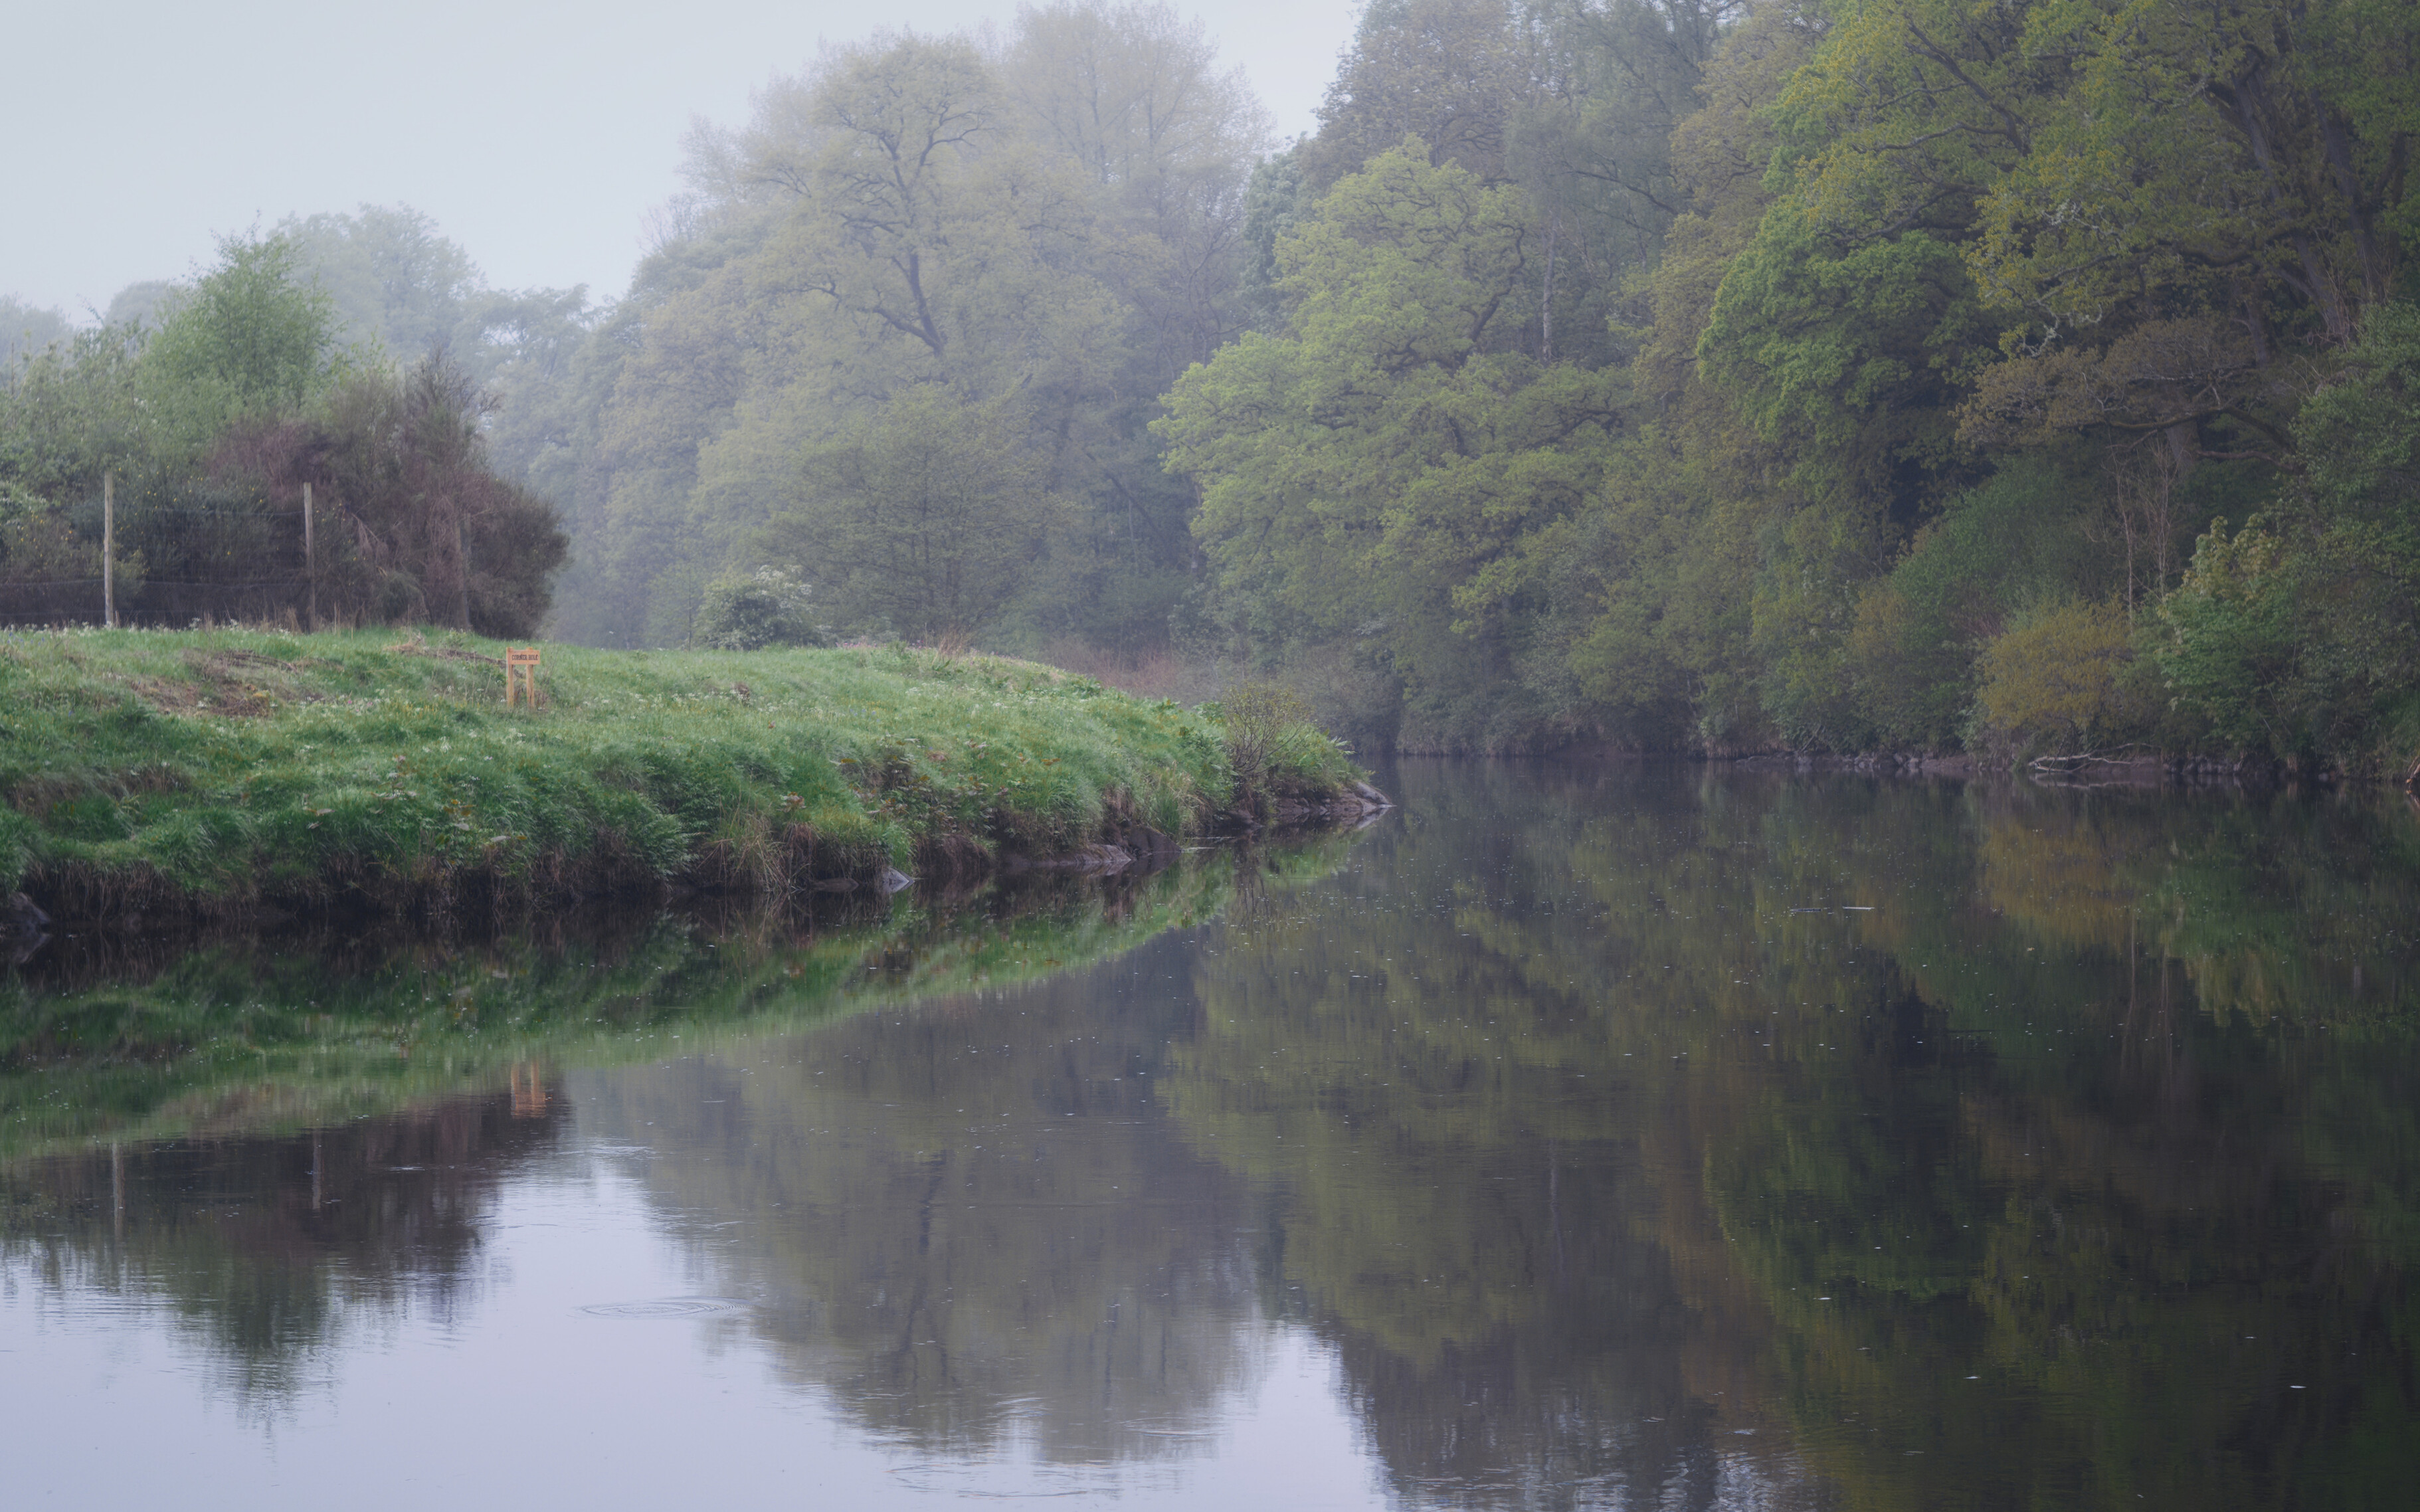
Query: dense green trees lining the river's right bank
[1843,376]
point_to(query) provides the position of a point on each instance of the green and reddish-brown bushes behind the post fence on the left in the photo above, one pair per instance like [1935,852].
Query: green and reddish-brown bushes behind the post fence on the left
[214,425]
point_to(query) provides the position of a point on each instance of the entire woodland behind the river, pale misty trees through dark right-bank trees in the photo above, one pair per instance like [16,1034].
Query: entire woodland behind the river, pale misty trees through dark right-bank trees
[1669,374]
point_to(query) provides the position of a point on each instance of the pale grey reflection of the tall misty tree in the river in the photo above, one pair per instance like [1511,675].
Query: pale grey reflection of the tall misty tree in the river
[969,1223]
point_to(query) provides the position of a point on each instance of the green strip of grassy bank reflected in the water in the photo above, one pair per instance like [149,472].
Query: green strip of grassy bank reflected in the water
[110,1039]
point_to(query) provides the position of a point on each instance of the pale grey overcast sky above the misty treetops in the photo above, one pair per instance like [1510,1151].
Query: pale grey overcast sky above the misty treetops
[536,137]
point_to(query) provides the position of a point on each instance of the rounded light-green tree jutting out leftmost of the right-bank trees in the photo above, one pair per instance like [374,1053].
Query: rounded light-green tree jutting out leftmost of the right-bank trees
[1388,456]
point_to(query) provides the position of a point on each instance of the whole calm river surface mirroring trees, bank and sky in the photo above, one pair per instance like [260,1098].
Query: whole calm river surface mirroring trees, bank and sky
[1574,1138]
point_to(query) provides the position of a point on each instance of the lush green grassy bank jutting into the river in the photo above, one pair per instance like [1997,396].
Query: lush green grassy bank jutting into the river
[238,768]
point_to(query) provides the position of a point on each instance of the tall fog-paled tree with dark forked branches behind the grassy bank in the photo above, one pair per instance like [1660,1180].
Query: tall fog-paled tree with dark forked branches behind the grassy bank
[1054,219]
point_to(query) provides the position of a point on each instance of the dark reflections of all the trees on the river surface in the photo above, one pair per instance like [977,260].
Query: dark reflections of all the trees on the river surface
[1630,1138]
